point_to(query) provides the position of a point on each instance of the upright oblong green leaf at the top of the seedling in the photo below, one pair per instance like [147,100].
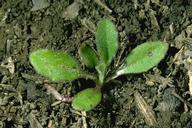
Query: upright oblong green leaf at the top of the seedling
[106,41]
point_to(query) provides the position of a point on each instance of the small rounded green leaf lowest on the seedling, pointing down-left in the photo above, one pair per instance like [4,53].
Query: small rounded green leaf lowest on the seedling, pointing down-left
[87,99]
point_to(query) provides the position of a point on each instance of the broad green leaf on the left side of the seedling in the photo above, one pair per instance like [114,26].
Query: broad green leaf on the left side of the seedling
[55,65]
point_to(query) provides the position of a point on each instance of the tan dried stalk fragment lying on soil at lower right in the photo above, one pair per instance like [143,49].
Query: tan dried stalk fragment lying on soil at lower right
[145,109]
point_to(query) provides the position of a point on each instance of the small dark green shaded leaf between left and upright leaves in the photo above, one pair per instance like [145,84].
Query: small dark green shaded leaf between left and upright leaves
[88,56]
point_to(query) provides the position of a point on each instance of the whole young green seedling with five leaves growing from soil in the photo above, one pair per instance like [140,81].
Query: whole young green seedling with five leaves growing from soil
[60,66]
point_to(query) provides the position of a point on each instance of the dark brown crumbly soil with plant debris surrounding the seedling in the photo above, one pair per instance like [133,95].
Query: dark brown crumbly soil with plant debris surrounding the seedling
[158,98]
